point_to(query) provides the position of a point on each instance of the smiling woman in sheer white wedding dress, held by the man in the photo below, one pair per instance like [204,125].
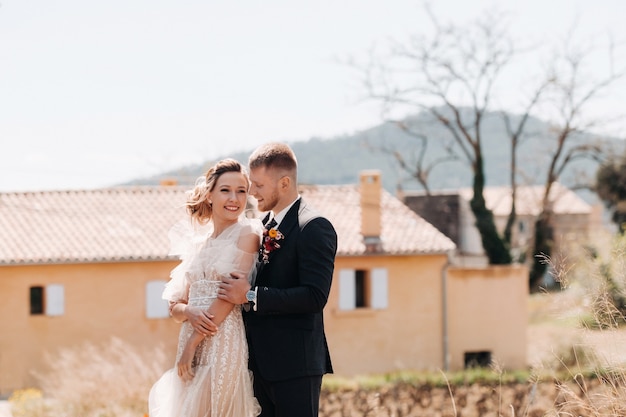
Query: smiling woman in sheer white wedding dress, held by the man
[211,376]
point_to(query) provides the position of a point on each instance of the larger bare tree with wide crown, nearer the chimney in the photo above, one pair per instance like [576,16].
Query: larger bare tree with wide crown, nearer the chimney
[450,76]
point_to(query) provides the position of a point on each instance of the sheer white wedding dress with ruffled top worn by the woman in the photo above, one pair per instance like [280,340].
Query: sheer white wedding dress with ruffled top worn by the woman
[222,385]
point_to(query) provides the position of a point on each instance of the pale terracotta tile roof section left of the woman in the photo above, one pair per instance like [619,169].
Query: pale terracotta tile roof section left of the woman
[116,224]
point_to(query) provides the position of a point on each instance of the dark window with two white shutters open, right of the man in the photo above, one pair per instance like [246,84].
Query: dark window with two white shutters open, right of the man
[363,289]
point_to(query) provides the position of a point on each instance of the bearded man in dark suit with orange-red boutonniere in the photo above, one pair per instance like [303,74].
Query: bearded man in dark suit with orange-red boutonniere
[284,319]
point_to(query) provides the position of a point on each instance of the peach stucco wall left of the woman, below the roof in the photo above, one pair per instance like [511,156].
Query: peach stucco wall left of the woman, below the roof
[101,301]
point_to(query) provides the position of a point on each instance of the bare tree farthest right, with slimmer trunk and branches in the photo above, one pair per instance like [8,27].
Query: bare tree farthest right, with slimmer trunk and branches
[573,90]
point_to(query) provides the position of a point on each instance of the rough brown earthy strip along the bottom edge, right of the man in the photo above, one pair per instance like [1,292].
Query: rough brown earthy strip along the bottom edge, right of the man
[476,400]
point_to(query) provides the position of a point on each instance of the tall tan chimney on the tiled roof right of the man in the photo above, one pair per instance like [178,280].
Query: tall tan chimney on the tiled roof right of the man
[370,210]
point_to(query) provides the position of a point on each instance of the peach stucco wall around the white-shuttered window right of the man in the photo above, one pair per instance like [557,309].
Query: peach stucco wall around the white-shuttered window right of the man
[406,335]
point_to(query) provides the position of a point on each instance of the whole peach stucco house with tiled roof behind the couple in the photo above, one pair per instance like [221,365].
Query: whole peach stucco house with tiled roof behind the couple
[89,265]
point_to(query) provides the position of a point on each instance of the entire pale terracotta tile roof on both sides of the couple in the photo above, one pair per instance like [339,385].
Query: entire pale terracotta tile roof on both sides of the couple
[131,223]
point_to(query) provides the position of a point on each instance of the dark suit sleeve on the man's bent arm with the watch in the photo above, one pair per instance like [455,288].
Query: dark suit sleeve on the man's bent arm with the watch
[316,249]
